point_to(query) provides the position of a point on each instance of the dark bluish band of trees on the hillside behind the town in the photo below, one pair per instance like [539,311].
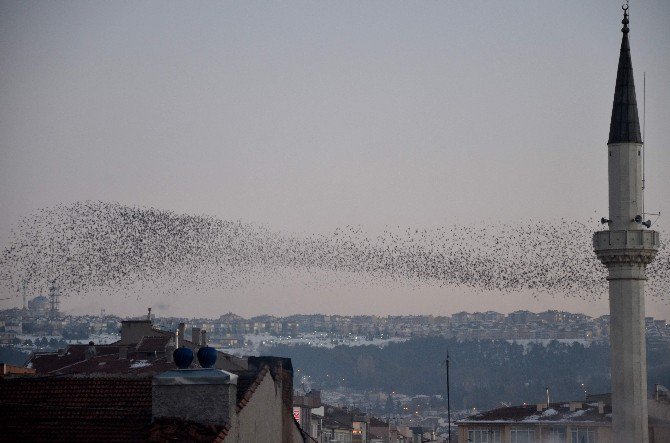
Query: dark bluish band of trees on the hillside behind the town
[483,373]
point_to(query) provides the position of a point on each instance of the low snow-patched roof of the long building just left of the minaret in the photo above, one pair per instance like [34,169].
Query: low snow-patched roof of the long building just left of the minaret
[559,412]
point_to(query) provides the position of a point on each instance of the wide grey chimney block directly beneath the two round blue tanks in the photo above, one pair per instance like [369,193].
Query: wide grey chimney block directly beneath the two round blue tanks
[206,396]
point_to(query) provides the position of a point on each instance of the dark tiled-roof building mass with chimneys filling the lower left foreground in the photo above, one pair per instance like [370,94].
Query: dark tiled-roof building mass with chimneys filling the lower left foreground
[127,391]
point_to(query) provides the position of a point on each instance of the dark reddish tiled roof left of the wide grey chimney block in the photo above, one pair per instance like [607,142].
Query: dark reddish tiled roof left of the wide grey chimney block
[75,409]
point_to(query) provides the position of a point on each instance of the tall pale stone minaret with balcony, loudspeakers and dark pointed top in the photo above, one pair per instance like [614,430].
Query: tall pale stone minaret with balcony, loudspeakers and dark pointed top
[626,249]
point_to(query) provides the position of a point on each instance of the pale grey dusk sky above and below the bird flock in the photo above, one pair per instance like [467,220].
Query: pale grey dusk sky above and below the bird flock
[308,116]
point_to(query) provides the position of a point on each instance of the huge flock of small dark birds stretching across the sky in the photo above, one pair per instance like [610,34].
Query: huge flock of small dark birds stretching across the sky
[99,245]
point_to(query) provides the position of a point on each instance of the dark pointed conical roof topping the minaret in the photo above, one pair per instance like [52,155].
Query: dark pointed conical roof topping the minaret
[625,124]
